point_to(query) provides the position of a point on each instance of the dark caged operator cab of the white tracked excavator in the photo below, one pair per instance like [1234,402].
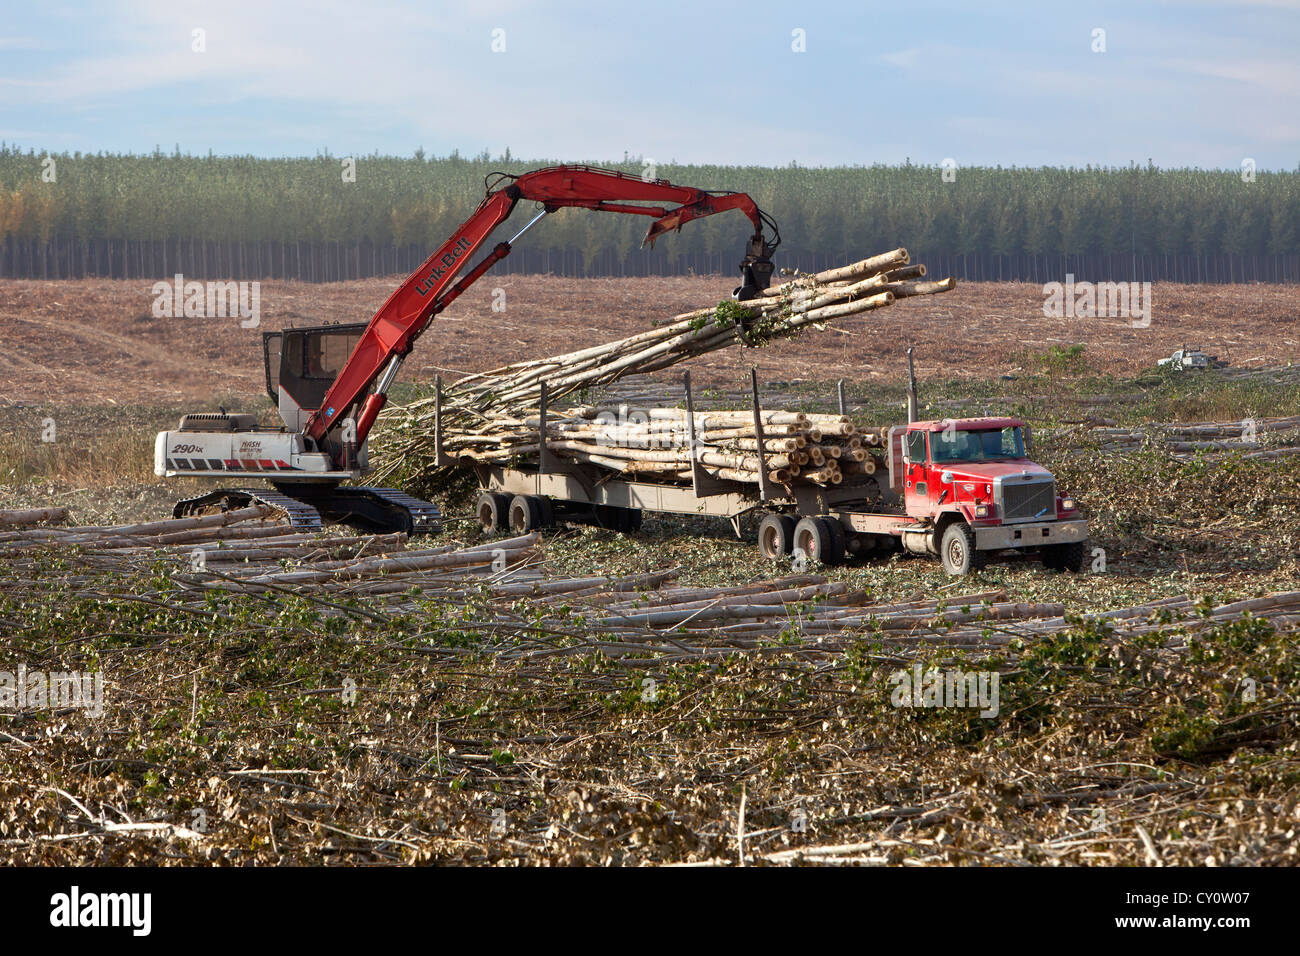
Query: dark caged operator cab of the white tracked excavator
[302,364]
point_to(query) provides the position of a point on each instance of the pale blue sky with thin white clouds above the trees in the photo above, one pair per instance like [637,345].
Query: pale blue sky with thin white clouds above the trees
[1178,83]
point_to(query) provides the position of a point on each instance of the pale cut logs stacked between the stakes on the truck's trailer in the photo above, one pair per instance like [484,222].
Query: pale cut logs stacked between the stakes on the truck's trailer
[656,443]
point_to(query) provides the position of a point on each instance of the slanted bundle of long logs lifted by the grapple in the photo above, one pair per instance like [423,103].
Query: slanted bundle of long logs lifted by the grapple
[478,401]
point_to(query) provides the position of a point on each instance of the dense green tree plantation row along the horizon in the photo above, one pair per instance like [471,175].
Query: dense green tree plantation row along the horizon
[92,211]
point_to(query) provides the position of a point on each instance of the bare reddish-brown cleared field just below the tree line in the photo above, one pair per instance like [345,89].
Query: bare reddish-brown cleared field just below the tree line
[98,343]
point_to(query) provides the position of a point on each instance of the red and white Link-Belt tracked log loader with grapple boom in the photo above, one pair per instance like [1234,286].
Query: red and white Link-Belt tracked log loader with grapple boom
[330,383]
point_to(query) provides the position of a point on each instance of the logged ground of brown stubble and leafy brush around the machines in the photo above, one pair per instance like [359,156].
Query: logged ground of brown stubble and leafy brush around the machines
[1102,754]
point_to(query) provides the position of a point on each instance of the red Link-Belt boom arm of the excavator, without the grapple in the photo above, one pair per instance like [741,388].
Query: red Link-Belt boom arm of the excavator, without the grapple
[409,312]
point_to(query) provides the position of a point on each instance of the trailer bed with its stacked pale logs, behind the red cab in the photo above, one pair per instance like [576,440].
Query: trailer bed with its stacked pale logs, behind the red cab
[808,474]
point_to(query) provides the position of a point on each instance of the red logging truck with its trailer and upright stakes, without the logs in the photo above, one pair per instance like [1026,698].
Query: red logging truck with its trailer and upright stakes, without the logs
[960,490]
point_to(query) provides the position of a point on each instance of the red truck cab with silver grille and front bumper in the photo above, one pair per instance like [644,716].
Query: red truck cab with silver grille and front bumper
[970,488]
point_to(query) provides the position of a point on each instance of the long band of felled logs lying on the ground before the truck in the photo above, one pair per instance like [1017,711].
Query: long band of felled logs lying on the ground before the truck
[634,618]
